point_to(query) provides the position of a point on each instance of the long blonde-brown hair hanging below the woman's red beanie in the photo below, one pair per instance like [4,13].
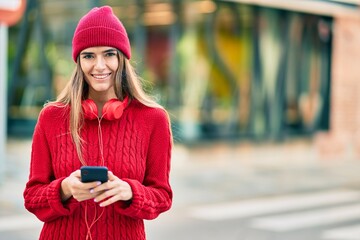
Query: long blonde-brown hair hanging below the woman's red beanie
[127,83]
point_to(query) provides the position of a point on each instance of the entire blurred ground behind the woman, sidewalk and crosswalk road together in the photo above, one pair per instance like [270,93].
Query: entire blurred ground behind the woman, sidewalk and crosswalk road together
[246,192]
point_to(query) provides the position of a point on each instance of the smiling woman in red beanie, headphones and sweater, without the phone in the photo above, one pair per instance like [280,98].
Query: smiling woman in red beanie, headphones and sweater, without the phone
[102,118]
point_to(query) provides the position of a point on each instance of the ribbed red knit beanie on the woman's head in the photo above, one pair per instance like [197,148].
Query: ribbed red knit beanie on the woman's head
[100,27]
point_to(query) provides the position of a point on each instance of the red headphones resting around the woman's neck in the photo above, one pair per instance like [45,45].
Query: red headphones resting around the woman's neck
[112,110]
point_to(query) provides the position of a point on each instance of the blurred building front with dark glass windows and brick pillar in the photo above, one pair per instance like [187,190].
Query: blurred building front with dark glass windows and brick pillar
[234,70]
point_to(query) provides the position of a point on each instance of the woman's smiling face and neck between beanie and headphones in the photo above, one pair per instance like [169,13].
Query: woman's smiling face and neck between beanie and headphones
[99,65]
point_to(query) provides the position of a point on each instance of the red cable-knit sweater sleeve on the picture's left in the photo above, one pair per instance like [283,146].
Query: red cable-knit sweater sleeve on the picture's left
[42,191]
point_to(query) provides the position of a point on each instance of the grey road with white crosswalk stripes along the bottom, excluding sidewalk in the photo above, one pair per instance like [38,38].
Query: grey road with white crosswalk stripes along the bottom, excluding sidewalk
[324,215]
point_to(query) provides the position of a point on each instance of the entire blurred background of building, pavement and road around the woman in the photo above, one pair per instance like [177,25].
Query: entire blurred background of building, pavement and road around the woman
[263,98]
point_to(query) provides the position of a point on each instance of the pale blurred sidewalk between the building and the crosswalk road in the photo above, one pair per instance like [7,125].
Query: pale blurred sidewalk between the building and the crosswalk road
[216,172]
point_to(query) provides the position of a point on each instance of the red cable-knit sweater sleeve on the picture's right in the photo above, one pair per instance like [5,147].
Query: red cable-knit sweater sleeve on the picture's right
[154,195]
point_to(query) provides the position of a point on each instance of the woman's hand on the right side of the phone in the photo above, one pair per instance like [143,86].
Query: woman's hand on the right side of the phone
[113,190]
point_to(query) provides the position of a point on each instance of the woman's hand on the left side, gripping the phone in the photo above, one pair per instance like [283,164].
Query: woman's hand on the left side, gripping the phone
[72,186]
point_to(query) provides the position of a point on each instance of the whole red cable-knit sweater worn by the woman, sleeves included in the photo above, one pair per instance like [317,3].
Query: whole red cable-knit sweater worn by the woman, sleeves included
[137,149]
